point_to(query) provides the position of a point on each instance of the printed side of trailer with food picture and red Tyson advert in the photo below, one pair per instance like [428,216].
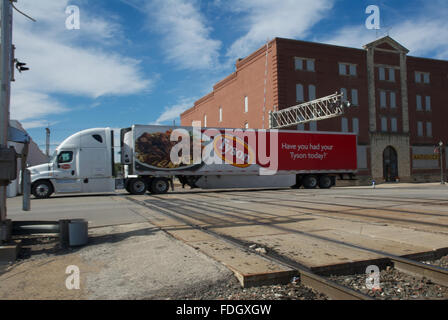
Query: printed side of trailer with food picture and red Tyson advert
[236,151]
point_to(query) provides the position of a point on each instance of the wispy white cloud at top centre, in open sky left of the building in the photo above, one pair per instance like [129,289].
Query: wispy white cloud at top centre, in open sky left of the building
[186,37]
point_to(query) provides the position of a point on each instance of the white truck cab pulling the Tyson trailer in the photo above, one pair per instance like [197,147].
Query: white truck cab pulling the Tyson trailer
[83,163]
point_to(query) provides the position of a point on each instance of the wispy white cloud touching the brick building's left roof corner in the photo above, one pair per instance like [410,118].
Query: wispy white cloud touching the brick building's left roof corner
[267,19]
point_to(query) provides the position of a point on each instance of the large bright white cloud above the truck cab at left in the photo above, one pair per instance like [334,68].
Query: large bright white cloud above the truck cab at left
[70,62]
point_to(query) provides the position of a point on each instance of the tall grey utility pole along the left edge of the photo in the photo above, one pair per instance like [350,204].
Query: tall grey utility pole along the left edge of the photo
[5,90]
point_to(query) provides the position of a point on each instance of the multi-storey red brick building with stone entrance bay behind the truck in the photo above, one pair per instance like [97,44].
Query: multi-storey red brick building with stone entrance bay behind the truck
[400,105]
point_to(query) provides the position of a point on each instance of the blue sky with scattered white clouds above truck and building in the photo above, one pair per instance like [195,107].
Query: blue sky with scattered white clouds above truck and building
[146,61]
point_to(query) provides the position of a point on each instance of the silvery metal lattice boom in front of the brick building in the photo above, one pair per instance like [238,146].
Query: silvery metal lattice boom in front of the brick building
[324,108]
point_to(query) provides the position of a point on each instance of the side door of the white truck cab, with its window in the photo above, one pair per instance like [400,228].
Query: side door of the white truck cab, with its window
[65,174]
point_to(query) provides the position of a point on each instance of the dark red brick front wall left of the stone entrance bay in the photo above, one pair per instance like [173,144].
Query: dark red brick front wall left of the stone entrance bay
[326,78]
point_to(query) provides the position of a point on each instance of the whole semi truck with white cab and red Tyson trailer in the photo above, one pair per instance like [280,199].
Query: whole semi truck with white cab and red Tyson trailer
[209,158]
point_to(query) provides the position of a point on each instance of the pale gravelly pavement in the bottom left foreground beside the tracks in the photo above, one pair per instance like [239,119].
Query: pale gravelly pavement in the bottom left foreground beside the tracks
[133,261]
